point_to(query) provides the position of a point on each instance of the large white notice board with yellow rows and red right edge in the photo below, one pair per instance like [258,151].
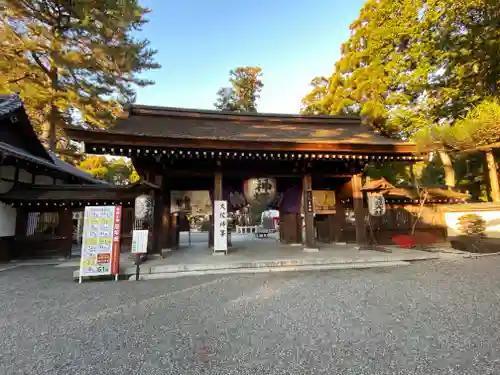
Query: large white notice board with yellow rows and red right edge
[101,241]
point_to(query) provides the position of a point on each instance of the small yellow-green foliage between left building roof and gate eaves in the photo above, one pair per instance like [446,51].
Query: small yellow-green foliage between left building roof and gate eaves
[116,171]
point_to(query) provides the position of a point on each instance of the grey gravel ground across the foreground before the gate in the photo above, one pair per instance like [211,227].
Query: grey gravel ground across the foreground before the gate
[439,317]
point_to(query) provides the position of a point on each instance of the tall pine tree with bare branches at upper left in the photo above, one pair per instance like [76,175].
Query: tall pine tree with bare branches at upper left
[72,60]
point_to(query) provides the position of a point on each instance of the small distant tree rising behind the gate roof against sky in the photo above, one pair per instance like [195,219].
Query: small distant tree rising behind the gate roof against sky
[242,95]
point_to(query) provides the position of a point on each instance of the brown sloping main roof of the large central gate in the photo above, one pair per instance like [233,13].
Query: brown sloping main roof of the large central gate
[164,122]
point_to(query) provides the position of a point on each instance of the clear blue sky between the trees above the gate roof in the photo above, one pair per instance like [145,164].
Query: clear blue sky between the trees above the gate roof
[199,41]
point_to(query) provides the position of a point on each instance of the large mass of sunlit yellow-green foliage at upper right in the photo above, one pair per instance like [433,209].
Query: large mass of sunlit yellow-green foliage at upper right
[412,63]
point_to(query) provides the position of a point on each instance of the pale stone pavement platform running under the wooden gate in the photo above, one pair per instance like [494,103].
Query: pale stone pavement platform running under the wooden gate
[265,255]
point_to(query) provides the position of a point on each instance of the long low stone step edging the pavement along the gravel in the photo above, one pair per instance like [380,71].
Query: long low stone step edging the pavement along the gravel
[228,271]
